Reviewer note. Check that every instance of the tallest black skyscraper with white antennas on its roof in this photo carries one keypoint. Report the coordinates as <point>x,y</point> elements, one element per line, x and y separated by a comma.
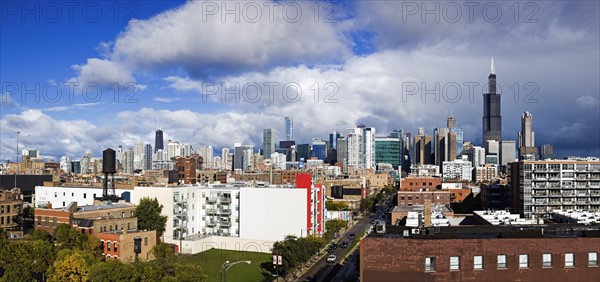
<point>492,116</point>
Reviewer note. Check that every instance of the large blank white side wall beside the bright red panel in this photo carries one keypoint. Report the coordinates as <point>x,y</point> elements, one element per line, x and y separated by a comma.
<point>272,213</point>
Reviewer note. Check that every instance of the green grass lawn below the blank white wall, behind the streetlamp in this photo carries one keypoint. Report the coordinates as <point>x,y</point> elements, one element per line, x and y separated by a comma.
<point>213,259</point>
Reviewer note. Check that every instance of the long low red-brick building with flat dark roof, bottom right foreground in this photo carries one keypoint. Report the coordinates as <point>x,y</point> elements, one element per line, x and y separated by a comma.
<point>482,253</point>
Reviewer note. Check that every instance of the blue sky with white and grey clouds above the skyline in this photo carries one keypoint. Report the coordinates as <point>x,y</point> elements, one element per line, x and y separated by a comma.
<point>185,62</point>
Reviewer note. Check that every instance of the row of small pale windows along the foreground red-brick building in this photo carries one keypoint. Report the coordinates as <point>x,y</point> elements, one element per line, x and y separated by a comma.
<point>501,261</point>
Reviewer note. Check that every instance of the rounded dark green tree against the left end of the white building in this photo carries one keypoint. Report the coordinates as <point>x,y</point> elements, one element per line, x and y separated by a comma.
<point>148,213</point>
